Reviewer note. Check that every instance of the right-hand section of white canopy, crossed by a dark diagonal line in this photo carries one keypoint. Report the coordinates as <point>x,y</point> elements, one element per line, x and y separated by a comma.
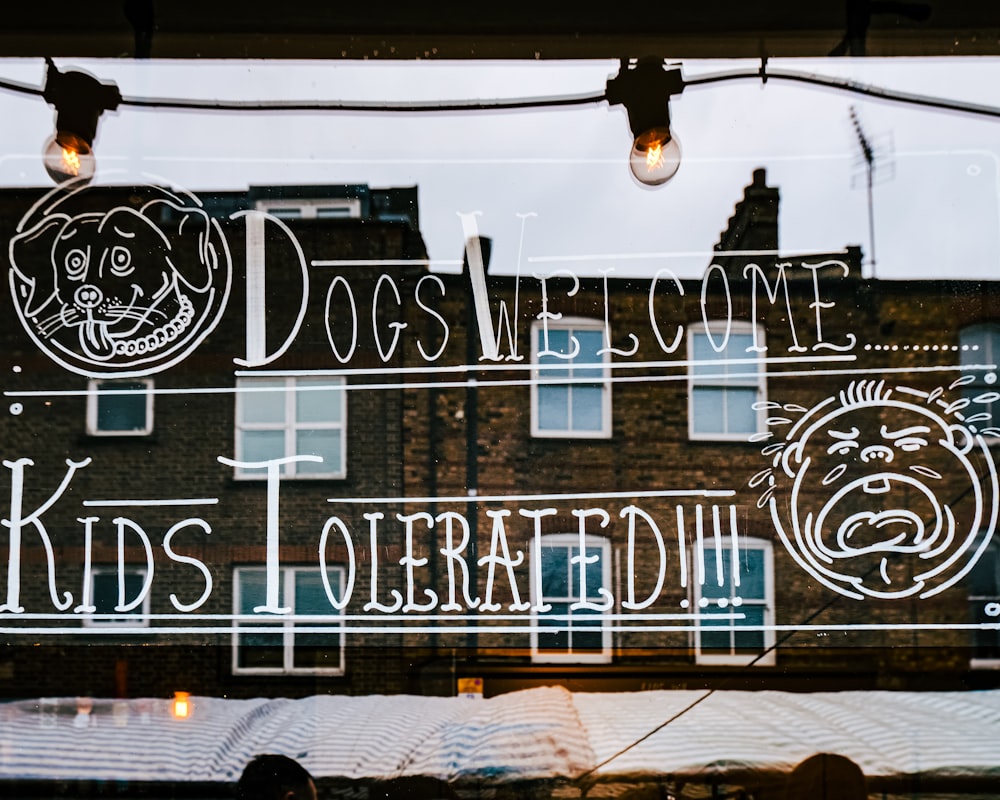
<point>888,734</point>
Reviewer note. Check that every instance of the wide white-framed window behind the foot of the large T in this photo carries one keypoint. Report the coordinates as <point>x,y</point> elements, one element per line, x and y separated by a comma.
<point>284,624</point>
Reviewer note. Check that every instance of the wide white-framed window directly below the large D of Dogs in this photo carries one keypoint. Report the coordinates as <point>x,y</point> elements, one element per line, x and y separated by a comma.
<point>290,426</point>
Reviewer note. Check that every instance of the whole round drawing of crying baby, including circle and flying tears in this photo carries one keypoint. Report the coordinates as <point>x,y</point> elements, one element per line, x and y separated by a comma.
<point>882,492</point>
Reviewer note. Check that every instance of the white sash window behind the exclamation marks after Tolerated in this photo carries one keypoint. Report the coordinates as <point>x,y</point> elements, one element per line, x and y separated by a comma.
<point>735,658</point>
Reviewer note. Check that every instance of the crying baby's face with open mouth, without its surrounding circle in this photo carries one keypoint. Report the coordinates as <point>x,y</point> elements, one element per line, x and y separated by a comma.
<point>870,495</point>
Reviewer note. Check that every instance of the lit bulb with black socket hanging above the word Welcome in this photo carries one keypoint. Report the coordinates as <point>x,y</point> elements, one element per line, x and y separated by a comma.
<point>645,89</point>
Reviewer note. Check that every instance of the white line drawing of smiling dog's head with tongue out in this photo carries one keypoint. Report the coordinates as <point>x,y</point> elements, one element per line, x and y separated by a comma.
<point>115,291</point>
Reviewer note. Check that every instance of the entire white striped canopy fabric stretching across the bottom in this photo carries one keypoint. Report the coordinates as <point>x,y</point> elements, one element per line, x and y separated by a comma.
<point>537,734</point>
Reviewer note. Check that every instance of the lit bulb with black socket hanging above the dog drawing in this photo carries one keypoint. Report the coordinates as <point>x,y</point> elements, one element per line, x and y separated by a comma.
<point>79,100</point>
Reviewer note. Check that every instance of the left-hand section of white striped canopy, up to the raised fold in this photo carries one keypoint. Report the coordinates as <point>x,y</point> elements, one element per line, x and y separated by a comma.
<point>527,735</point>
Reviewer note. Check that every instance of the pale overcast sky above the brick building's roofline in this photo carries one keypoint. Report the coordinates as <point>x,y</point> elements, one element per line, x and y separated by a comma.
<point>936,203</point>
